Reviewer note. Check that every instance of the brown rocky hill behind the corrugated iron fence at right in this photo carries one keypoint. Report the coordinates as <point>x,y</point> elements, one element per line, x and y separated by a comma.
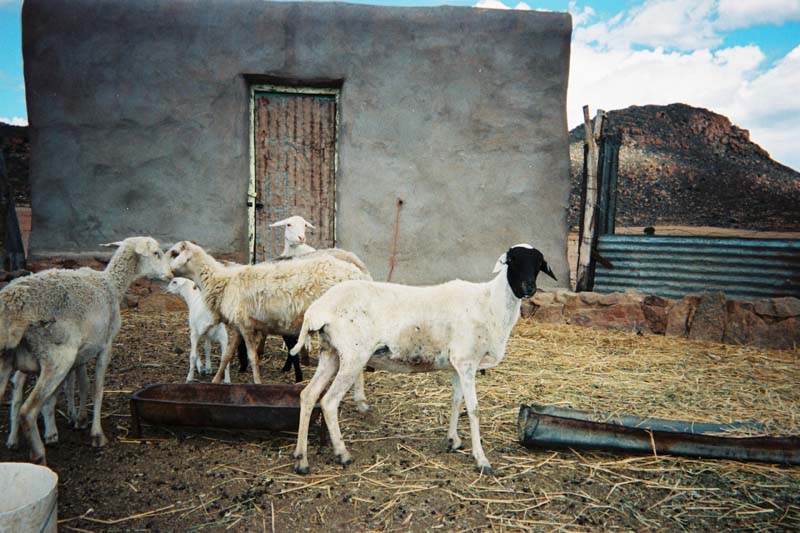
<point>686,166</point>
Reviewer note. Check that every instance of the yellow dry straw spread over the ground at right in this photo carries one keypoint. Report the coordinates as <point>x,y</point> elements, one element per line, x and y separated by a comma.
<point>571,491</point>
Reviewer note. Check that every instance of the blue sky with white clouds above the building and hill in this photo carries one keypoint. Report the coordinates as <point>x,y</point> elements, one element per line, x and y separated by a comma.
<point>739,58</point>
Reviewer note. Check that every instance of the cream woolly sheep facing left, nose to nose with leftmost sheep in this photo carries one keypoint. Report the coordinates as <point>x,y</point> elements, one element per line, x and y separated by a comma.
<point>266,298</point>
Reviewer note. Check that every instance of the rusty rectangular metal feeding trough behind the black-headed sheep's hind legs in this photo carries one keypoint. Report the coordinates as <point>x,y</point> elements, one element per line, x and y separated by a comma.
<point>237,406</point>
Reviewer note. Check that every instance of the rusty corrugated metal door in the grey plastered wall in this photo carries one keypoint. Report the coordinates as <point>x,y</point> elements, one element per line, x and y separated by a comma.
<point>295,167</point>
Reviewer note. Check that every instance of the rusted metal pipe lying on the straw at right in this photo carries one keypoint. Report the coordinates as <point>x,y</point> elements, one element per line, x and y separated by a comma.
<point>540,430</point>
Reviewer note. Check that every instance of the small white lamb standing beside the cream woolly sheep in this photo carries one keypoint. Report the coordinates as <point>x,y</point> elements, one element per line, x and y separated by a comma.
<point>202,327</point>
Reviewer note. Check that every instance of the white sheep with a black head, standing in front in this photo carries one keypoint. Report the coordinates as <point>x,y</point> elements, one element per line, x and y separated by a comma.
<point>457,326</point>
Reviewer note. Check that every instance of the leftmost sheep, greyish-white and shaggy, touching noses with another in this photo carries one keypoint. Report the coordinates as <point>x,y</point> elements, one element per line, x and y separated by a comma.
<point>57,319</point>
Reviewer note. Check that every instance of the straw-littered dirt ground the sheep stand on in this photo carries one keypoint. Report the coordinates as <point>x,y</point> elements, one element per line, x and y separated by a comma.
<point>402,479</point>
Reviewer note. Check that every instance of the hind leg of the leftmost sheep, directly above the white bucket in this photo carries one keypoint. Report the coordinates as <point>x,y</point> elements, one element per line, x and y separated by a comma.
<point>52,373</point>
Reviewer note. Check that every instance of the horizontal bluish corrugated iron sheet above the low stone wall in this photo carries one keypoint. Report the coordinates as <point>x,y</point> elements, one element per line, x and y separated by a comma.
<point>672,266</point>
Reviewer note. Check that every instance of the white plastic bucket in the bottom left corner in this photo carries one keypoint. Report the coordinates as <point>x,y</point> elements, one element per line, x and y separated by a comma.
<point>29,498</point>
